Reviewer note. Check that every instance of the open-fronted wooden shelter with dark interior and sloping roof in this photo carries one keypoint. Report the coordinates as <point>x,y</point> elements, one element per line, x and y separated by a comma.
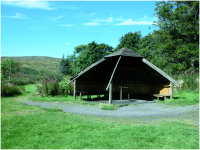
<point>123,70</point>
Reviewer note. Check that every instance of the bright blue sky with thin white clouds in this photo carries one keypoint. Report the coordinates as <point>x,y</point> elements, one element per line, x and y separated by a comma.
<point>54,28</point>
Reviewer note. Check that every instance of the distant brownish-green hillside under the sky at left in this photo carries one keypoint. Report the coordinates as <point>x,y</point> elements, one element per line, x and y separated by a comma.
<point>36,62</point>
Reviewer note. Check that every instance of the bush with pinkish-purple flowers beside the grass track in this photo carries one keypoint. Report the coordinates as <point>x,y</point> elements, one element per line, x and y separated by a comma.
<point>49,87</point>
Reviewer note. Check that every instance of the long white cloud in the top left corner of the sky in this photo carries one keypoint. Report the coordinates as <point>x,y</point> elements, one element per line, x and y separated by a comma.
<point>30,4</point>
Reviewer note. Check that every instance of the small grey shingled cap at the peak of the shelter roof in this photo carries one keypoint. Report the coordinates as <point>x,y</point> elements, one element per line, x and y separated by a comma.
<point>124,52</point>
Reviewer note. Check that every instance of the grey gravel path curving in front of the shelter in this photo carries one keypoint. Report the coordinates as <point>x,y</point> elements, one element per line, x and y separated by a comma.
<point>143,110</point>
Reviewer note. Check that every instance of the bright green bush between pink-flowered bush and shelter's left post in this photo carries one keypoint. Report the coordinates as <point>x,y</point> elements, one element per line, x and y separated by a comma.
<point>65,89</point>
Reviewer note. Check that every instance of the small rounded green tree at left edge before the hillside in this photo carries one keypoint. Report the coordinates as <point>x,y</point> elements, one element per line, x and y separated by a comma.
<point>9,67</point>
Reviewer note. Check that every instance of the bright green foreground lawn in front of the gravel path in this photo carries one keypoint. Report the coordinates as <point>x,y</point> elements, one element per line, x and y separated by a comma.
<point>32,127</point>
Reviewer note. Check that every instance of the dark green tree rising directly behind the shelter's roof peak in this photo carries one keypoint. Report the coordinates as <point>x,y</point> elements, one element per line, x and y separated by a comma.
<point>129,40</point>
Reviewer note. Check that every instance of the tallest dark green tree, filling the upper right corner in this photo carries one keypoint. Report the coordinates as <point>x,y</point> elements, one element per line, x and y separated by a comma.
<point>178,34</point>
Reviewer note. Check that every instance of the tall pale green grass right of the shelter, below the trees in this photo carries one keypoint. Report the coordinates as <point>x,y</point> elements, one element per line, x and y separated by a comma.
<point>187,81</point>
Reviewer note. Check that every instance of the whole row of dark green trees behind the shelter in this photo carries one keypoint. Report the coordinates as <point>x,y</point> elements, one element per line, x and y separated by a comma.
<point>173,46</point>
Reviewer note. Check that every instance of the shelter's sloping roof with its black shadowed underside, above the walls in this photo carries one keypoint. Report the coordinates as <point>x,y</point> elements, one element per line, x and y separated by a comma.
<point>132,68</point>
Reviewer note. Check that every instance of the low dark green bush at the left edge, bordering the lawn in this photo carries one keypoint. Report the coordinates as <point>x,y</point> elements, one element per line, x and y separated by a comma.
<point>8,89</point>
